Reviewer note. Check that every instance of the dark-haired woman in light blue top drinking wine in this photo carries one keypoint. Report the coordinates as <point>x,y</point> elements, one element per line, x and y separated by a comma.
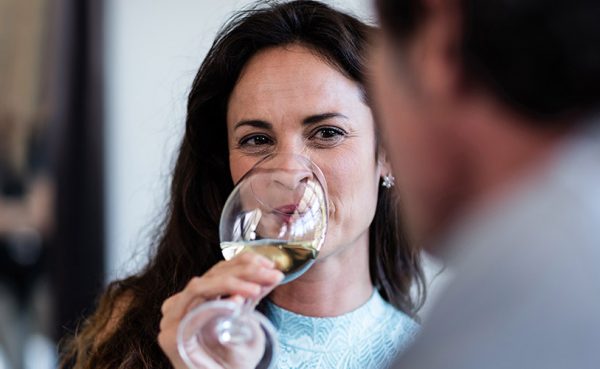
<point>279,78</point>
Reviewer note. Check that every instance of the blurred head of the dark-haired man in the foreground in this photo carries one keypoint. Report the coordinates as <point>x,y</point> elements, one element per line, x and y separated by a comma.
<point>473,93</point>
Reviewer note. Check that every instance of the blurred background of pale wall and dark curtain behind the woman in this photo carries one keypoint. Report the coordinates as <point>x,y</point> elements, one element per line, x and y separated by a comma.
<point>92,105</point>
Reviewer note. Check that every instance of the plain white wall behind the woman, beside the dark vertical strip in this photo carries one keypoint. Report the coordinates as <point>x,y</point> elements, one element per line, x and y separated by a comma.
<point>153,49</point>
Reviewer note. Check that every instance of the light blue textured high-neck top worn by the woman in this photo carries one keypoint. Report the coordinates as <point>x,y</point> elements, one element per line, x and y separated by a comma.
<point>366,338</point>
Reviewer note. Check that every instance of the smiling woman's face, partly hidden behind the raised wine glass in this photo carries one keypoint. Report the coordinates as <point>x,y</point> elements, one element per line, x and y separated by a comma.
<point>290,100</point>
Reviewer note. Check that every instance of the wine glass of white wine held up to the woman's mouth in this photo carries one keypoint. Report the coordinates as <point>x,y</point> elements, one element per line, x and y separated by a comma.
<point>279,209</point>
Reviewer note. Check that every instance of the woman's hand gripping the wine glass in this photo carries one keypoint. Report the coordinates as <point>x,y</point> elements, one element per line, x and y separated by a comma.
<point>248,275</point>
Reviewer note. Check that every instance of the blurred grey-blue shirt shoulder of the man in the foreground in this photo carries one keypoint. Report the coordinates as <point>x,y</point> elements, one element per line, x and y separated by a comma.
<point>526,291</point>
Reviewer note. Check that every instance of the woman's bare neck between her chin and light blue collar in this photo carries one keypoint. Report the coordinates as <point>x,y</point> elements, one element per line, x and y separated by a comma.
<point>334,285</point>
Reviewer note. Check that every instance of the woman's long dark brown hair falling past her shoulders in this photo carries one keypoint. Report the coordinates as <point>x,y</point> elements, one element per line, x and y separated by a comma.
<point>188,244</point>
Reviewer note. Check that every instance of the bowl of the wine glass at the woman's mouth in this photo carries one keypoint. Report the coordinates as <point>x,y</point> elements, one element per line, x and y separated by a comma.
<point>279,210</point>
